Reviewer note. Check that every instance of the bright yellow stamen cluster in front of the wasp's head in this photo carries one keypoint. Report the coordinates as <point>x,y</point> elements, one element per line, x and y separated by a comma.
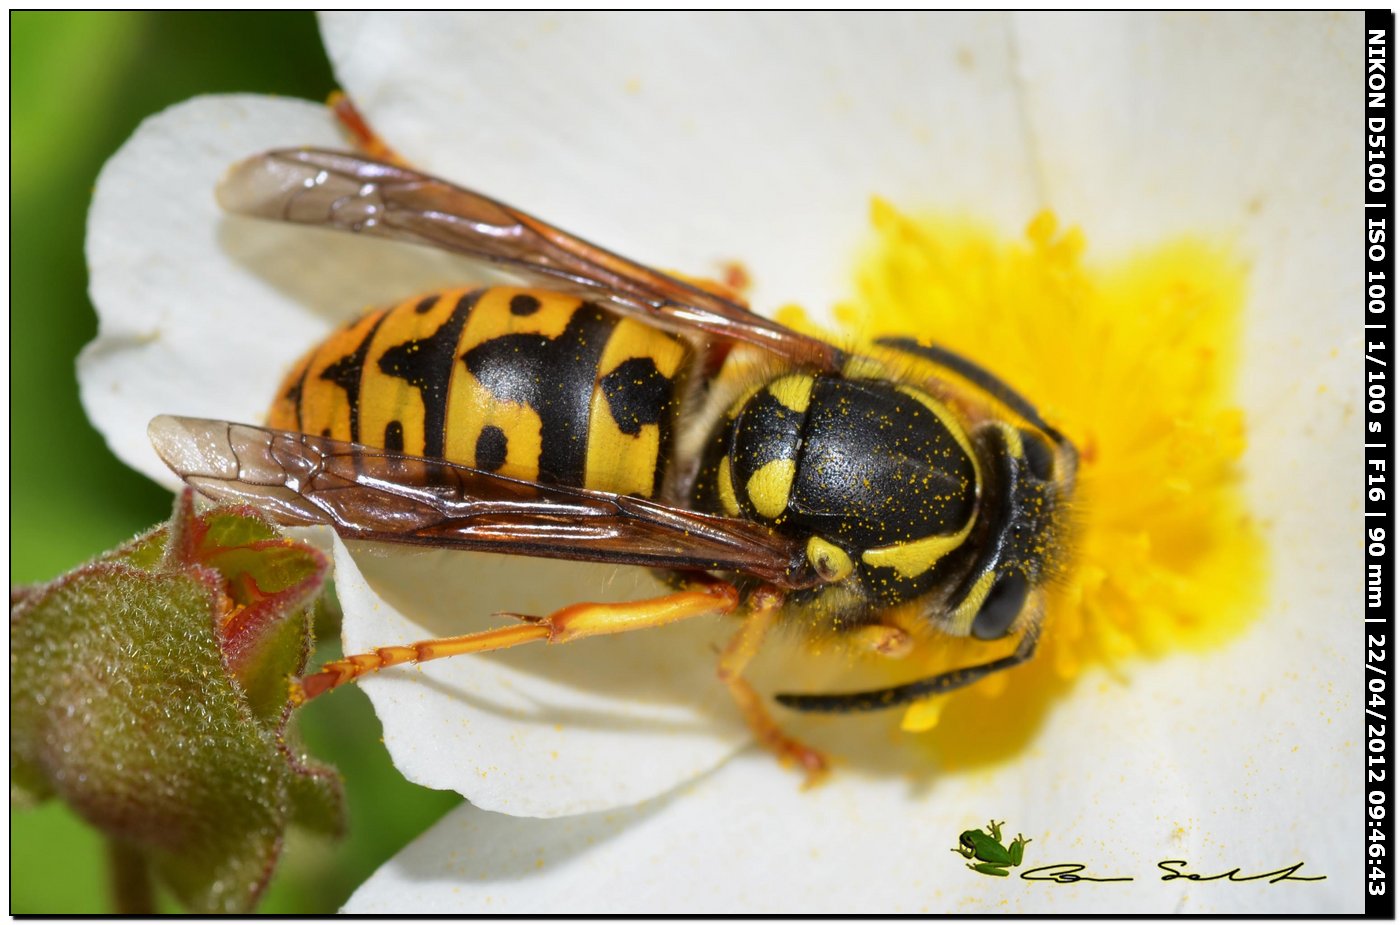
<point>1135,363</point>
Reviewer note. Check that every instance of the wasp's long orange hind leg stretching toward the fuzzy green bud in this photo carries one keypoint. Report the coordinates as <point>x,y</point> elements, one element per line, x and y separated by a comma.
<point>701,598</point>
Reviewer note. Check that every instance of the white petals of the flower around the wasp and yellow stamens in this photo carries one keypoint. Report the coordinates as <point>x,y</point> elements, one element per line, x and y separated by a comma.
<point>687,141</point>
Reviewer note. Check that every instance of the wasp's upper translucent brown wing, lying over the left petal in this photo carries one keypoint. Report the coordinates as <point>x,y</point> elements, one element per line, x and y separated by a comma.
<point>355,194</point>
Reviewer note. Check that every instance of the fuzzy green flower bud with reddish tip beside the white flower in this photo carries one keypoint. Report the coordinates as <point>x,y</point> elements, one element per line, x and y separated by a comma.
<point>128,706</point>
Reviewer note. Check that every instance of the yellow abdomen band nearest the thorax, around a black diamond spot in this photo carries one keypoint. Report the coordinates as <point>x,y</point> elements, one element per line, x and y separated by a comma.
<point>622,462</point>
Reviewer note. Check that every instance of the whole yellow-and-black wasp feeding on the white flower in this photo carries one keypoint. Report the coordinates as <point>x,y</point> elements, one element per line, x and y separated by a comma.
<point>587,416</point>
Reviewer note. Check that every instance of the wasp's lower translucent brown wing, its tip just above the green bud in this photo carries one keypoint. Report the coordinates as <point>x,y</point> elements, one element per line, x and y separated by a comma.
<point>373,495</point>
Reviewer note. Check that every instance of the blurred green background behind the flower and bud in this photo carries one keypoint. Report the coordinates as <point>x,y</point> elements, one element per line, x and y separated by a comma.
<point>80,83</point>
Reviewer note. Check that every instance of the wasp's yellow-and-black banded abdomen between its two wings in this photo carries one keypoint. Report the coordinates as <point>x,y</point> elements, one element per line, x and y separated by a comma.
<point>528,384</point>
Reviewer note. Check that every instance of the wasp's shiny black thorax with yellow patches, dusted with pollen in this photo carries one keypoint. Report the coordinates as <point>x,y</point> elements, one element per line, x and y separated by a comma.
<point>881,476</point>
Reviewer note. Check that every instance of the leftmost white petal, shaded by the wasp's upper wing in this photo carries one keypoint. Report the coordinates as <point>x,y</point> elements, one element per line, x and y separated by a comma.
<point>202,314</point>
